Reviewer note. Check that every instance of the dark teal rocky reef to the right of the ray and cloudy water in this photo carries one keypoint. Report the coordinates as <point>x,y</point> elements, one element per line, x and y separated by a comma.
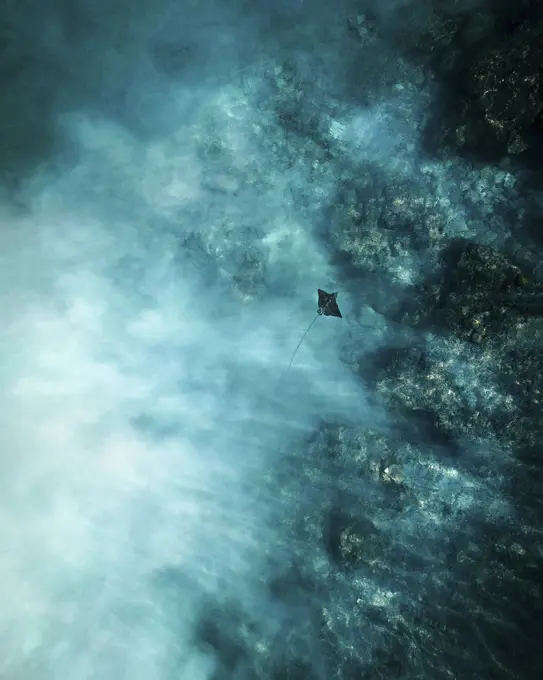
<point>454,248</point>
